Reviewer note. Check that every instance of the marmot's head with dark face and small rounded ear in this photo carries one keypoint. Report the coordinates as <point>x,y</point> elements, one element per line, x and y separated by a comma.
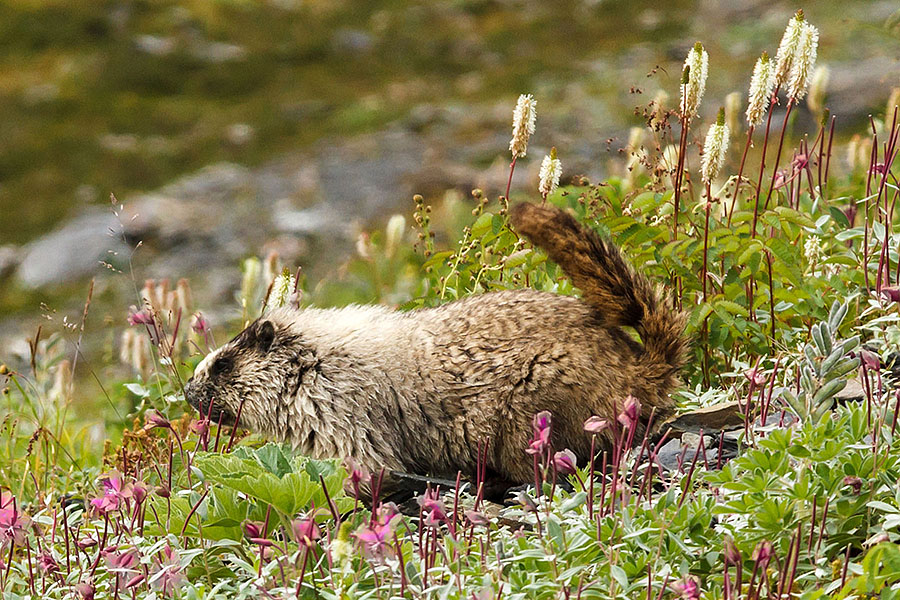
<point>251,375</point>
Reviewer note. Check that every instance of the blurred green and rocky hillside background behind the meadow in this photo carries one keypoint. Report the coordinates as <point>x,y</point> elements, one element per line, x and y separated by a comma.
<point>229,128</point>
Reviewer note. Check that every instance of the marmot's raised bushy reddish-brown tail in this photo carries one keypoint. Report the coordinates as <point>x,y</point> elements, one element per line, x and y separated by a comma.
<point>608,283</point>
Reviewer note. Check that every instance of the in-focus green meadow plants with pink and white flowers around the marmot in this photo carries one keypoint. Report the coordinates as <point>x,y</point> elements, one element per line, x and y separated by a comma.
<point>780,245</point>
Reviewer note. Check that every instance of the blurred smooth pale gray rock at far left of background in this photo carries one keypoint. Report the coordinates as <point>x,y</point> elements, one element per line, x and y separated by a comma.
<point>72,252</point>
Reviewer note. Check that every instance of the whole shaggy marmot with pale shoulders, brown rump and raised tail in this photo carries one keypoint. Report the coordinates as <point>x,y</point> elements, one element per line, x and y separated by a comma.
<point>419,391</point>
